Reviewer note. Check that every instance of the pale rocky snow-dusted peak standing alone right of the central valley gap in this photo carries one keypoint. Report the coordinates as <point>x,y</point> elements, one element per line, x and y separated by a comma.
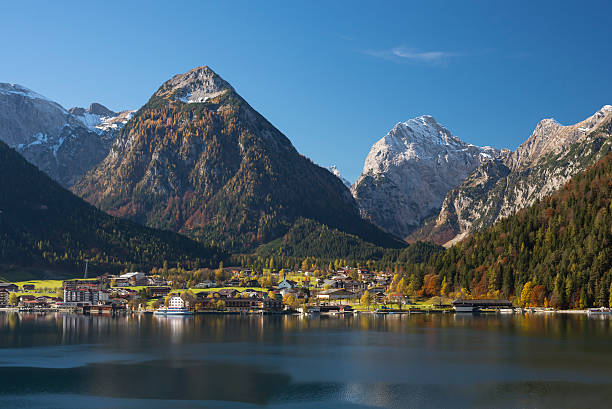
<point>408,172</point>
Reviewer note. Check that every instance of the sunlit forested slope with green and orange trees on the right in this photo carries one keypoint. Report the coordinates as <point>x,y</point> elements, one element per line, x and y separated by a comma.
<point>556,251</point>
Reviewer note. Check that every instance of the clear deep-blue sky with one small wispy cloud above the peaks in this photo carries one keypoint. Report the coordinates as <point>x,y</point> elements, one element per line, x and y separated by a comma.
<point>333,76</point>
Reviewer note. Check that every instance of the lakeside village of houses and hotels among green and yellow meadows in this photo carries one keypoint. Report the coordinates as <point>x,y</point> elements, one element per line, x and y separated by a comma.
<point>347,290</point>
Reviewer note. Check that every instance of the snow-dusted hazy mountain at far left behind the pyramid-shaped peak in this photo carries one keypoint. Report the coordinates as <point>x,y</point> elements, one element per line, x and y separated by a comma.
<point>61,144</point>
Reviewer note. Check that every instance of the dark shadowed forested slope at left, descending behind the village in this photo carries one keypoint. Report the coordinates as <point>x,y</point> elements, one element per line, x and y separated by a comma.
<point>44,225</point>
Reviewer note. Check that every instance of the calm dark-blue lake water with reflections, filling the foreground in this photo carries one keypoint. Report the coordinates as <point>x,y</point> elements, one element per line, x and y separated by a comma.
<point>365,361</point>
